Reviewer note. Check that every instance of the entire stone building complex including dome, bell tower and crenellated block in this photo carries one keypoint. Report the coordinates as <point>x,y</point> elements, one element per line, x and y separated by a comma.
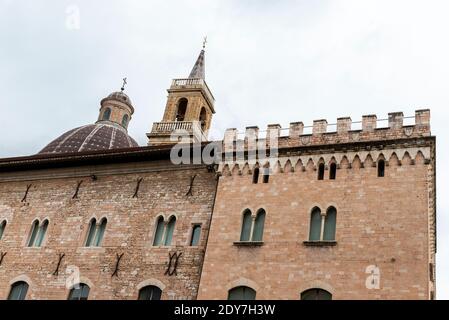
<point>338,213</point>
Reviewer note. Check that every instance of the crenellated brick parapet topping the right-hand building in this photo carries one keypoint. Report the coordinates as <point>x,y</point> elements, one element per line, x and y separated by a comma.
<point>370,128</point>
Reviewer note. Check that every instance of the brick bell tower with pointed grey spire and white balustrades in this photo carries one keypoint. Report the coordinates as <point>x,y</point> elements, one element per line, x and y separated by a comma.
<point>189,109</point>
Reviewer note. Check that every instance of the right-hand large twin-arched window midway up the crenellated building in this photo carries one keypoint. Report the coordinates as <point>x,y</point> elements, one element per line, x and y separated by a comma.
<point>322,227</point>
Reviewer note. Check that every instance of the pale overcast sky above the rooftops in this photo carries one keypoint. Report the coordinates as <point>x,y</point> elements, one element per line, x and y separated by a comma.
<point>266,62</point>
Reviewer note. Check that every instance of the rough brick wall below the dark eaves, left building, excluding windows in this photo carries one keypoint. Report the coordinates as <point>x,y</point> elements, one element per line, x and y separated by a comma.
<point>130,228</point>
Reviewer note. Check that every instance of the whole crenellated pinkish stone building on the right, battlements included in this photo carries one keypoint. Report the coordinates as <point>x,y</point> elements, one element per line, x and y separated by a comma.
<point>383,245</point>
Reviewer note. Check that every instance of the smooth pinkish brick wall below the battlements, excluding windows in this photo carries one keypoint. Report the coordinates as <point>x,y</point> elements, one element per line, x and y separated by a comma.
<point>381,222</point>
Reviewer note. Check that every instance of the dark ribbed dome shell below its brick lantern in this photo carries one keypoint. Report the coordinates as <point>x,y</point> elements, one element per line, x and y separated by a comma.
<point>99,136</point>
